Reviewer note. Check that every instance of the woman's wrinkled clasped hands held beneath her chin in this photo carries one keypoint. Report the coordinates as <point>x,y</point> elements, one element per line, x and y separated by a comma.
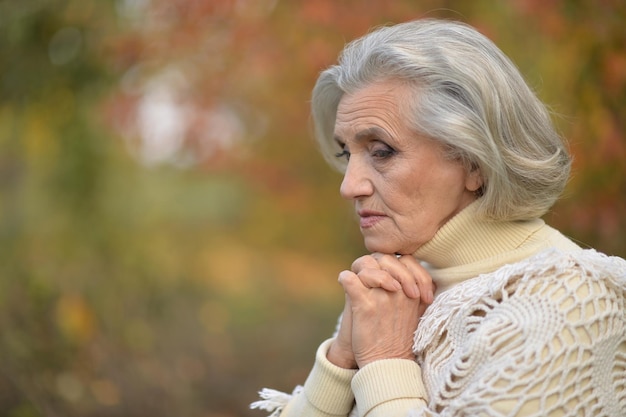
<point>385,297</point>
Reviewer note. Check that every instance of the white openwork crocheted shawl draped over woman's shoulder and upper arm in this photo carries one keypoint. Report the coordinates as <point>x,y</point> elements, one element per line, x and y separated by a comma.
<point>542,337</point>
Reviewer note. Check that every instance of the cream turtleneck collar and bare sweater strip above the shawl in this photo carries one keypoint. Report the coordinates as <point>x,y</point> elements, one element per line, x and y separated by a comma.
<point>468,245</point>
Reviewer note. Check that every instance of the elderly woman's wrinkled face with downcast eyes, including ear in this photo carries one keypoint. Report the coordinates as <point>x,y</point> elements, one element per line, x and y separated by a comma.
<point>402,186</point>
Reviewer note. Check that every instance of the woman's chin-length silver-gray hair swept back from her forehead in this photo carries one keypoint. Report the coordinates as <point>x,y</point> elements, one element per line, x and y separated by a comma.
<point>467,95</point>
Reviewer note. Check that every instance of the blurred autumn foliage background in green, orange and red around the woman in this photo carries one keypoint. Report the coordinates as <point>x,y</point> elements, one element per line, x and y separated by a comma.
<point>169,236</point>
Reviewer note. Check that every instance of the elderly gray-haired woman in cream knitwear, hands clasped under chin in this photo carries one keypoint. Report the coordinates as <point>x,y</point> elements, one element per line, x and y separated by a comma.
<point>469,304</point>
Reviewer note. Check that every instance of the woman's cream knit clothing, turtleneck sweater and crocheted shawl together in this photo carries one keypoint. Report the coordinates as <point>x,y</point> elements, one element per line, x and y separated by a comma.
<point>498,283</point>
